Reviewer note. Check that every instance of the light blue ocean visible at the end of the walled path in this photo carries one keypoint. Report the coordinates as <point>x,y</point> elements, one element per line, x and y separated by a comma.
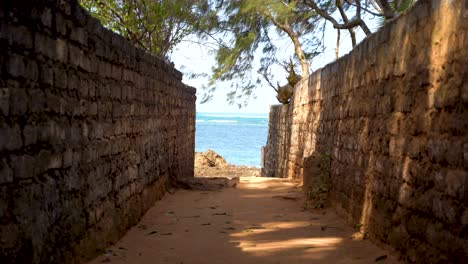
<point>237,137</point>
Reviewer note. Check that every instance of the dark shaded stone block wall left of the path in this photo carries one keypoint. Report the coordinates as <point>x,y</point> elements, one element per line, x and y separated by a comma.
<point>92,130</point>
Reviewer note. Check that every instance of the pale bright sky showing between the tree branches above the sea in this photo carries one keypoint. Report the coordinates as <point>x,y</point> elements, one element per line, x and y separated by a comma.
<point>191,57</point>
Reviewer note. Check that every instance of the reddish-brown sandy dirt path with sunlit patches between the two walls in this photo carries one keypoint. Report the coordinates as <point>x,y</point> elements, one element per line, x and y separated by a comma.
<point>252,223</point>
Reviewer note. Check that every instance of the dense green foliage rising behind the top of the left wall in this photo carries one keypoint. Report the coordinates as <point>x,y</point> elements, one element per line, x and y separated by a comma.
<point>155,26</point>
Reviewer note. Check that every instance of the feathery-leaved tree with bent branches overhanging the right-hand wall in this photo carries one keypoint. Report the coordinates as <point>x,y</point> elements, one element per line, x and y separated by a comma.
<point>249,23</point>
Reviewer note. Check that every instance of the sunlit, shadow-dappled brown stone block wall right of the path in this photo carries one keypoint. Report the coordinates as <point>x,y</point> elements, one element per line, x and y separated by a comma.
<point>393,117</point>
